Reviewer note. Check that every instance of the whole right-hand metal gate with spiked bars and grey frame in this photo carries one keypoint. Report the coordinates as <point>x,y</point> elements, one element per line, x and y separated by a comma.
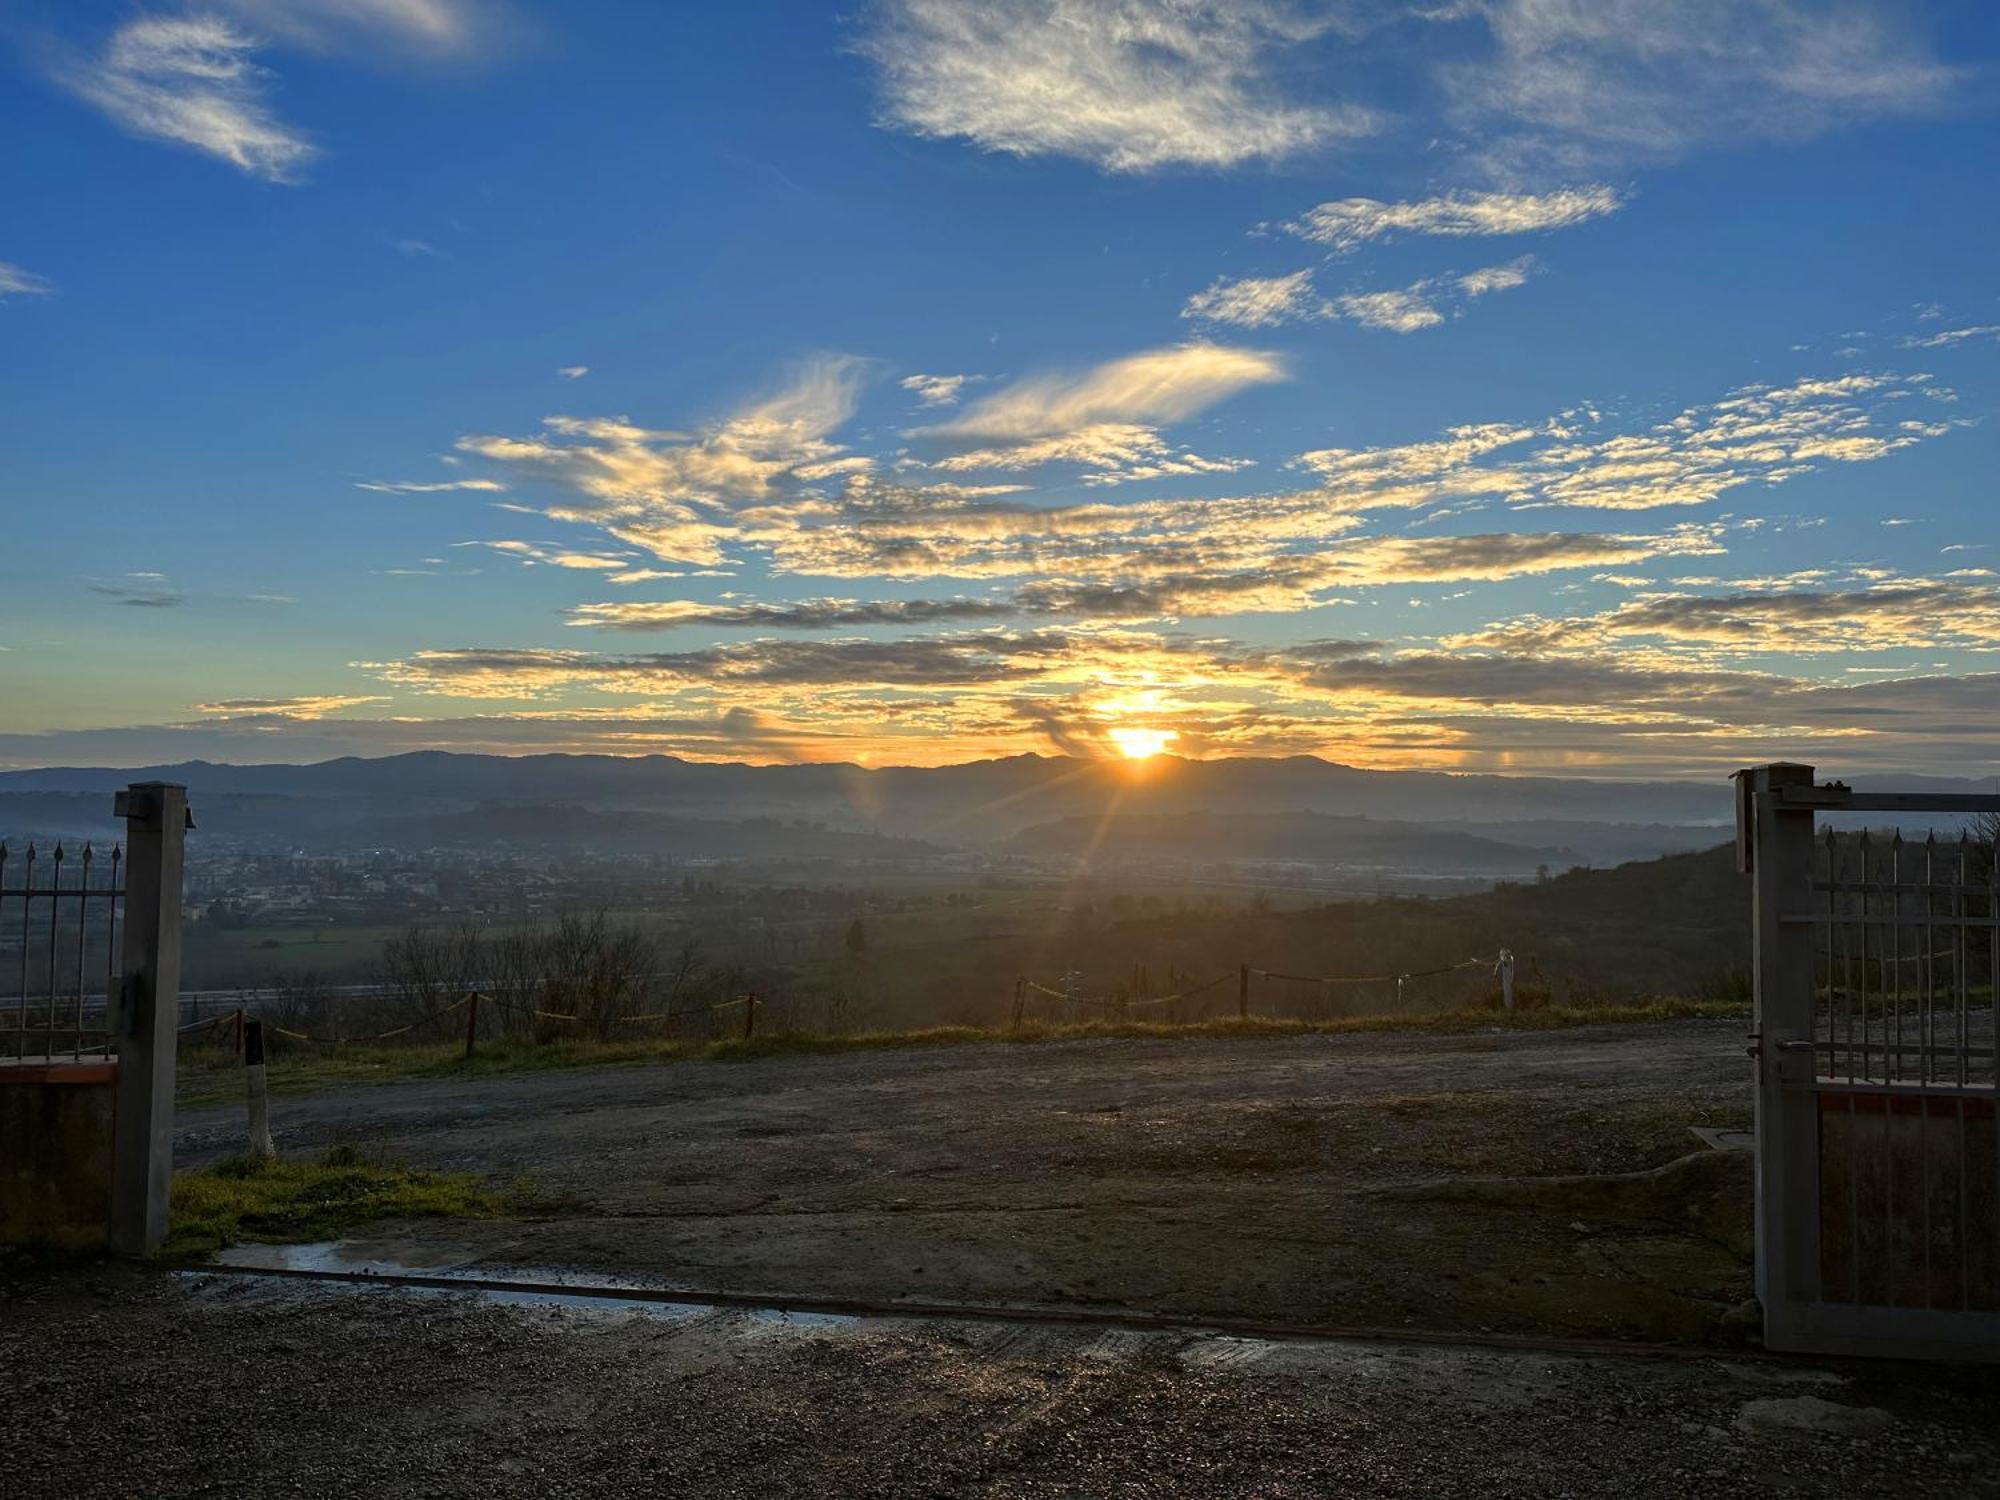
<point>1877,1165</point>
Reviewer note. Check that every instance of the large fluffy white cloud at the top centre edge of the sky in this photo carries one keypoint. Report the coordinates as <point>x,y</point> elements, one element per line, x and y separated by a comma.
<point>1125,85</point>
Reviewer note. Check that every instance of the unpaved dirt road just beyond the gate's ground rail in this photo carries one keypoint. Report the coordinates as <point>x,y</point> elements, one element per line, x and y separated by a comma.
<point>1297,1179</point>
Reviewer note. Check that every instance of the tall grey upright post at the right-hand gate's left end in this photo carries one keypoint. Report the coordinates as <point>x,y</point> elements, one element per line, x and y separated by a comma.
<point>1775,845</point>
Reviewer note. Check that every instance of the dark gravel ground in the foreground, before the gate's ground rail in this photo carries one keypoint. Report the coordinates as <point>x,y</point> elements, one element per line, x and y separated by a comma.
<point>129,1383</point>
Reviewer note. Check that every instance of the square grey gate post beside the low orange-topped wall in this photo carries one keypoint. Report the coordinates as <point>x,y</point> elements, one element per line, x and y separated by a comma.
<point>143,1135</point>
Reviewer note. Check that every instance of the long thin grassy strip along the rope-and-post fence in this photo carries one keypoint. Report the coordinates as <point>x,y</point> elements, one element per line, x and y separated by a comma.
<point>209,1081</point>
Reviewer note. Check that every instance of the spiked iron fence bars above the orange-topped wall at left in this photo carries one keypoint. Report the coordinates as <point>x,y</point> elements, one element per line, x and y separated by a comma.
<point>59,943</point>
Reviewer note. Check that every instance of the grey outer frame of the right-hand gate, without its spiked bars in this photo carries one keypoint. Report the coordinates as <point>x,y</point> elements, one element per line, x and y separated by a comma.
<point>1775,811</point>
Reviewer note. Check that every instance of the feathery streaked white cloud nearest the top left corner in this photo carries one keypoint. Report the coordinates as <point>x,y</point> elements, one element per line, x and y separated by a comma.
<point>193,81</point>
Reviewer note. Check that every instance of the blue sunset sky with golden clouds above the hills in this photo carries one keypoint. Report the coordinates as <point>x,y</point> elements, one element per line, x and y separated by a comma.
<point>1481,385</point>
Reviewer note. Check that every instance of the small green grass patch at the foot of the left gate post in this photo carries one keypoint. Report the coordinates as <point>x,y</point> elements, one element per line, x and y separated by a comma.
<point>275,1201</point>
